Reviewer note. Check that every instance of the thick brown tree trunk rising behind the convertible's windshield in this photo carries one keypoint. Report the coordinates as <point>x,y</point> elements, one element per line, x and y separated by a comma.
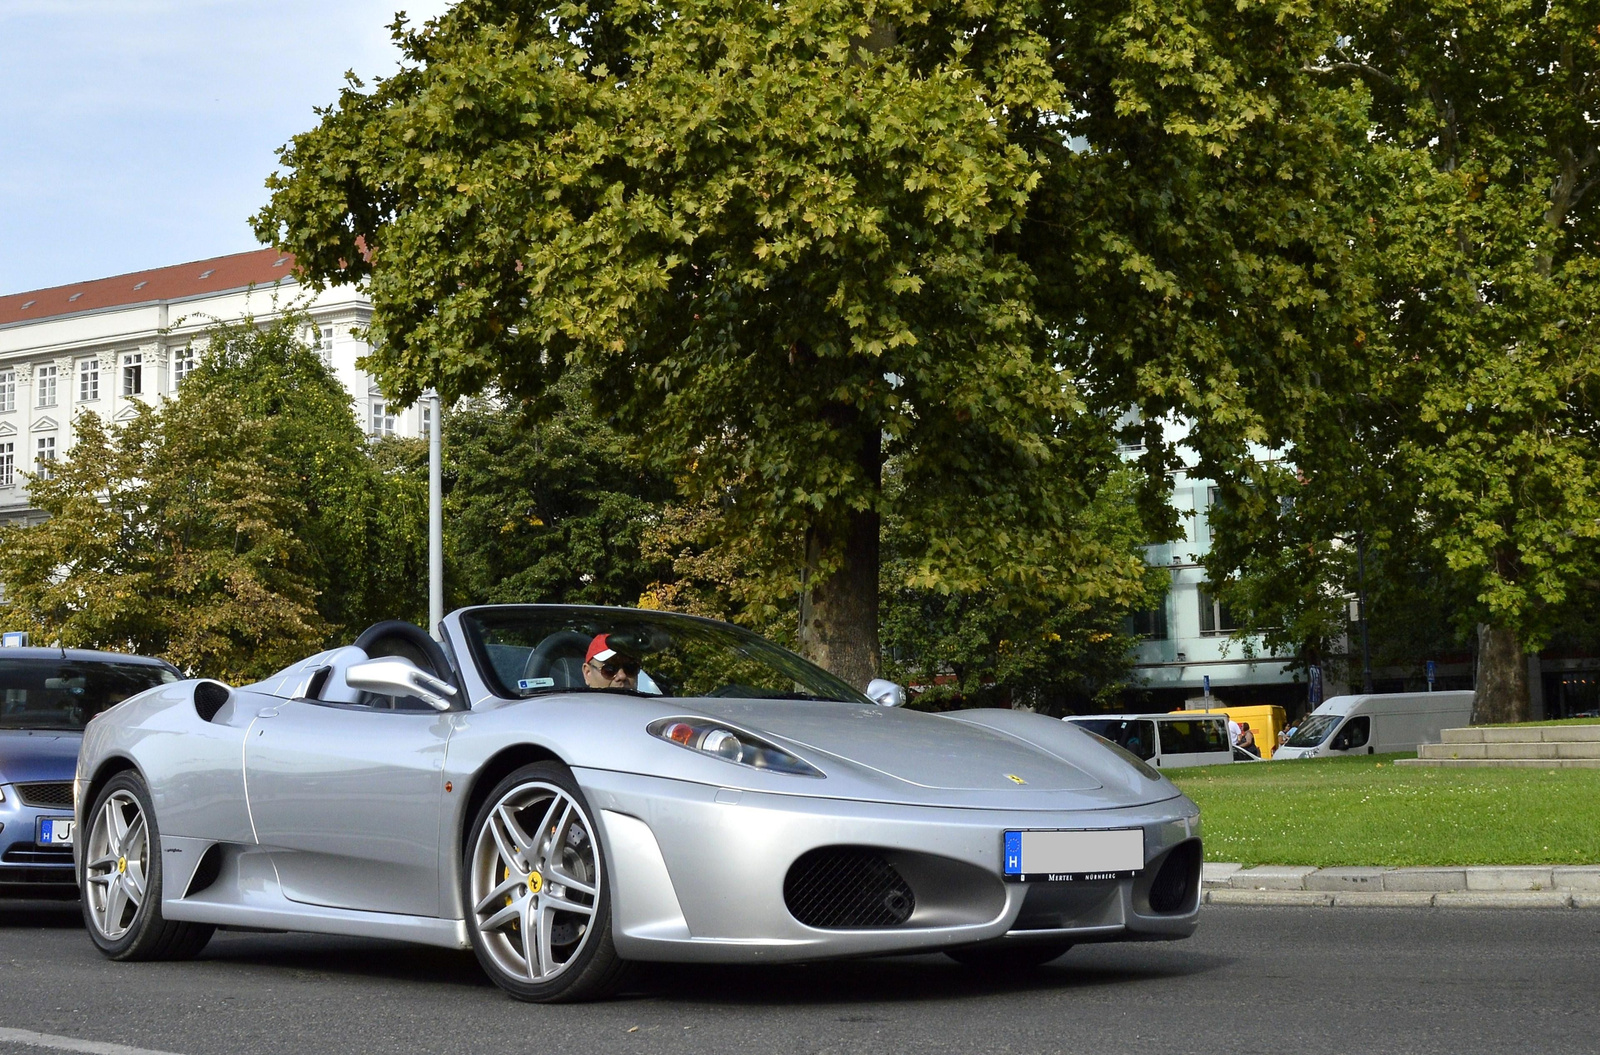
<point>839,616</point>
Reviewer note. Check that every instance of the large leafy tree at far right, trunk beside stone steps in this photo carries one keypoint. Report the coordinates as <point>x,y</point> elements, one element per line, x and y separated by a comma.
<point>1473,395</point>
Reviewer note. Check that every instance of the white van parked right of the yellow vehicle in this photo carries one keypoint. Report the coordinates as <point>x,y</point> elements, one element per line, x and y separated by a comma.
<point>1377,724</point>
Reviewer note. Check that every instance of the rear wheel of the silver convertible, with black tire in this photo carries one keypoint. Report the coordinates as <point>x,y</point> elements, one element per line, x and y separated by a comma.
<point>140,933</point>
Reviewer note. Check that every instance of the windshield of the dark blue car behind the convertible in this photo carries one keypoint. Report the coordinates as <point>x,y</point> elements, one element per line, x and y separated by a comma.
<point>66,694</point>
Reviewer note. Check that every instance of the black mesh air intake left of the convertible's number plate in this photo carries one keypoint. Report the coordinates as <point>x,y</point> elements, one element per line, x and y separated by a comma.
<point>847,889</point>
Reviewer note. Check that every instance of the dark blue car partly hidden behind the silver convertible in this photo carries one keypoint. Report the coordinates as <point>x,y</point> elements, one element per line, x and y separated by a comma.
<point>47,696</point>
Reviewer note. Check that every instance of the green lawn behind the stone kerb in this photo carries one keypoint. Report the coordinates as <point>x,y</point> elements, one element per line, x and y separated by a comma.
<point>1367,811</point>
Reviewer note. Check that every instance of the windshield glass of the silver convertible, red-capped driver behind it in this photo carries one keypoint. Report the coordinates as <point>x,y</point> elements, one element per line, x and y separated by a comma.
<point>535,651</point>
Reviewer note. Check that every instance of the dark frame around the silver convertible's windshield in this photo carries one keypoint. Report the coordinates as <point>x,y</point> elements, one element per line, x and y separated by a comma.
<point>471,624</point>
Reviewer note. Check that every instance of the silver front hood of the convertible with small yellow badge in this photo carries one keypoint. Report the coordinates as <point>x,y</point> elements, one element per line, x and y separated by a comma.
<point>924,750</point>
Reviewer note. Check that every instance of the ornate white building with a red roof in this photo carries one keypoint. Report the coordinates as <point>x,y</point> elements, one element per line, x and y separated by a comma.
<point>111,343</point>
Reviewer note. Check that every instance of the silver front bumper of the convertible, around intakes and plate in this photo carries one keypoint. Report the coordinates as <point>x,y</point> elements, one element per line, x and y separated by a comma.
<point>698,873</point>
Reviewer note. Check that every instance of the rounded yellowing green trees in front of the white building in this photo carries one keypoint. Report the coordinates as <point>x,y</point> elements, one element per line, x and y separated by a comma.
<point>234,529</point>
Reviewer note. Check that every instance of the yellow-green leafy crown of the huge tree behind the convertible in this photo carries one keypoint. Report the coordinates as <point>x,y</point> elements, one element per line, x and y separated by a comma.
<point>791,246</point>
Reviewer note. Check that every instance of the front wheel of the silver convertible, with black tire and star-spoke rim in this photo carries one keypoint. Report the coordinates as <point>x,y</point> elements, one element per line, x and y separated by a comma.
<point>586,968</point>
